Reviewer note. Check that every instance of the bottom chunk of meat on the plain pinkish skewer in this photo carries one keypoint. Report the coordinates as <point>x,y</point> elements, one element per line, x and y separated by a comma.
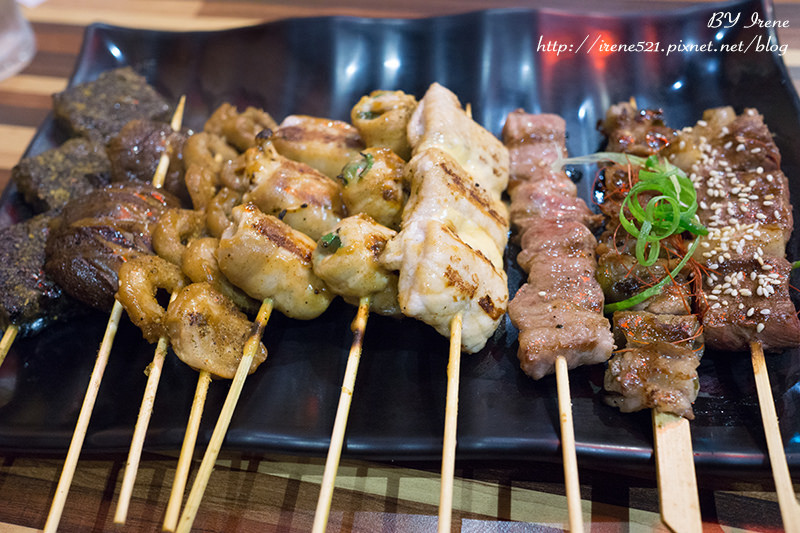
<point>549,328</point>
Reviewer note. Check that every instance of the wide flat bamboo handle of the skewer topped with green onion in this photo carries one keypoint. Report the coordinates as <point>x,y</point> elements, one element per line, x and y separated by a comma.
<point>677,484</point>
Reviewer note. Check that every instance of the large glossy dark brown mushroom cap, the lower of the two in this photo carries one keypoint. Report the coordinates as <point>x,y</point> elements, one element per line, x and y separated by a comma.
<point>96,233</point>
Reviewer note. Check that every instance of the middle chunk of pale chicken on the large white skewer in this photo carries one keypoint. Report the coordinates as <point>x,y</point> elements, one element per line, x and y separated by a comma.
<point>441,190</point>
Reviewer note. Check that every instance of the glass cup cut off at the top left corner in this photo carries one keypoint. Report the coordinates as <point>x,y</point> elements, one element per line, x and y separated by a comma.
<point>17,43</point>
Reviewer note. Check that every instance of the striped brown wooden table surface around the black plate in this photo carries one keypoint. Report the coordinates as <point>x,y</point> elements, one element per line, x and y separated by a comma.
<point>279,493</point>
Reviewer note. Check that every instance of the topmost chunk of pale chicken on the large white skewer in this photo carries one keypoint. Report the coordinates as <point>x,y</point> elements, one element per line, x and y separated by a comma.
<point>440,122</point>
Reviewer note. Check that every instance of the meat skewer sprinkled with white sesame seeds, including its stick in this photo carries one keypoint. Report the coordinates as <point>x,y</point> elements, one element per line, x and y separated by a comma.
<point>745,303</point>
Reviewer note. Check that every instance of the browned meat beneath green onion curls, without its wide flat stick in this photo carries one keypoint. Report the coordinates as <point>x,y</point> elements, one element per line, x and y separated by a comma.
<point>661,342</point>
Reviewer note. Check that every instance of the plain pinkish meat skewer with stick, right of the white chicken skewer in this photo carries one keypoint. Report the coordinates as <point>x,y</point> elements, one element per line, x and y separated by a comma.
<point>559,310</point>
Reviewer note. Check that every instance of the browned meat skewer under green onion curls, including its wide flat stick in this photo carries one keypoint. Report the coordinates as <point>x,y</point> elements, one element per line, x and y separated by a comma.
<point>654,345</point>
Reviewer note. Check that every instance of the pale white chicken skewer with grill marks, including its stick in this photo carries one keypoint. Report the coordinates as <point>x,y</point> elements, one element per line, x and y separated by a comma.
<point>450,246</point>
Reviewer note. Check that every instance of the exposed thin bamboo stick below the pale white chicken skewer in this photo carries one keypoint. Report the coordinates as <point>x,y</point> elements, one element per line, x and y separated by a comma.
<point>450,423</point>
